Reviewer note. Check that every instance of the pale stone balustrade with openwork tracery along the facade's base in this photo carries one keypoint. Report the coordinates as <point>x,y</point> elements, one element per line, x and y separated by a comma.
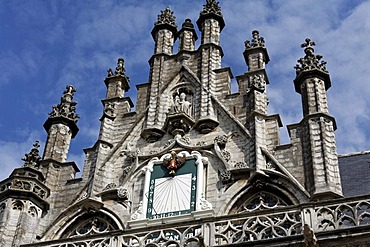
<point>337,216</point>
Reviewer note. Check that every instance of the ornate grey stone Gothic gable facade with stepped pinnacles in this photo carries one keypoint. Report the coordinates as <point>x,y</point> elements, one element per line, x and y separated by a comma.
<point>184,169</point>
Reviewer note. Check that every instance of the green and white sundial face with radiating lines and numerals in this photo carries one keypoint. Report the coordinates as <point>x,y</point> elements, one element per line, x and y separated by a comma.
<point>172,194</point>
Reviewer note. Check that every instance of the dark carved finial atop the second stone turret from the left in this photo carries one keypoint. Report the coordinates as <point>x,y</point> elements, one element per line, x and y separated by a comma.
<point>66,108</point>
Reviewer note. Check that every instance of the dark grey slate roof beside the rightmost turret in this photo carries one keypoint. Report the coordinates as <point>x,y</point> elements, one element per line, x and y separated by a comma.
<point>355,173</point>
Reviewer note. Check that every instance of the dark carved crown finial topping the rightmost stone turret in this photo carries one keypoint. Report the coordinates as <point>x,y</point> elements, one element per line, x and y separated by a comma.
<point>310,61</point>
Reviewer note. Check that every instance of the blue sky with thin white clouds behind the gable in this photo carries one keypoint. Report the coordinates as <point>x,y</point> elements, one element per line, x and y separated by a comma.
<point>45,45</point>
